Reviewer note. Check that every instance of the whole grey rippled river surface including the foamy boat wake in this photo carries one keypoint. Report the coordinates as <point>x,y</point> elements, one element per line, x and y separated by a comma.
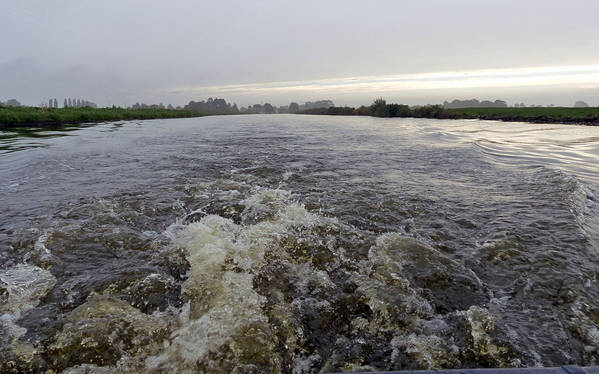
<point>298,244</point>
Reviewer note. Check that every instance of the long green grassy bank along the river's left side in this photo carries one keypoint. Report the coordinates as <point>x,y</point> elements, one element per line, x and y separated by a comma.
<point>32,116</point>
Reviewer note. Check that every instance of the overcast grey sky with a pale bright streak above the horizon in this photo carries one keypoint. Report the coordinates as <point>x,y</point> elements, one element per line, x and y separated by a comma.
<point>350,51</point>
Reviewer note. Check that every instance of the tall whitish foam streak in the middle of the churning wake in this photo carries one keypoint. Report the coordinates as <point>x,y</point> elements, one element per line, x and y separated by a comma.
<point>224,258</point>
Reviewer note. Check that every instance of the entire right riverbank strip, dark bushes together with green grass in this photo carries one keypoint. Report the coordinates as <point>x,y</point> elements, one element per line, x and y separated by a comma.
<point>380,108</point>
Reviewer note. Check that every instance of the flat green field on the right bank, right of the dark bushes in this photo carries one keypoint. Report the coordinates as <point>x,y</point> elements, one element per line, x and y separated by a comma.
<point>544,114</point>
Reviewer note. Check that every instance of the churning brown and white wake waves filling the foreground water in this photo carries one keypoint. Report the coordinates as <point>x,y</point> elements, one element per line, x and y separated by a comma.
<point>282,290</point>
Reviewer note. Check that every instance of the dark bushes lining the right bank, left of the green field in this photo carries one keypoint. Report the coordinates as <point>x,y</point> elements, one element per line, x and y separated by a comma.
<point>380,108</point>
